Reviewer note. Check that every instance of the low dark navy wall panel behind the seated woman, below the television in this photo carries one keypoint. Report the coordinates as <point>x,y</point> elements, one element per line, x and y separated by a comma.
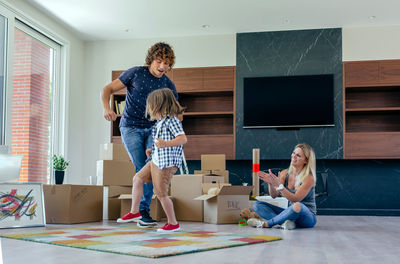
<point>353,187</point>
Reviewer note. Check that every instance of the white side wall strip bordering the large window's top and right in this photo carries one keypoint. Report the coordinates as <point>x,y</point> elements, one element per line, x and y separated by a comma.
<point>74,81</point>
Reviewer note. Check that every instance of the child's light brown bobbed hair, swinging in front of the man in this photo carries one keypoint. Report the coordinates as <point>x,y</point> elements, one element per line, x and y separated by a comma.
<point>162,102</point>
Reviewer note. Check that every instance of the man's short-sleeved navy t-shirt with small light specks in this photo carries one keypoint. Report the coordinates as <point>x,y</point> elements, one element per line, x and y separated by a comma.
<point>139,84</point>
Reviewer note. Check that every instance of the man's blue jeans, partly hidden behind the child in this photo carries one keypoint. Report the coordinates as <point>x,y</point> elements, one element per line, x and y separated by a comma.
<point>136,141</point>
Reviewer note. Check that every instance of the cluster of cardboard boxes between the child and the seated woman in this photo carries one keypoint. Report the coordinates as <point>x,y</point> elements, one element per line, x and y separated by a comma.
<point>207,195</point>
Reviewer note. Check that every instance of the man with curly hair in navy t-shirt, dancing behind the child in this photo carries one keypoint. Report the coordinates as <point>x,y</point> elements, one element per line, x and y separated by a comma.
<point>135,128</point>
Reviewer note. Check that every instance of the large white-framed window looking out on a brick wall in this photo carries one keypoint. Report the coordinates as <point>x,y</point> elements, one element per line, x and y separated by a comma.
<point>32,111</point>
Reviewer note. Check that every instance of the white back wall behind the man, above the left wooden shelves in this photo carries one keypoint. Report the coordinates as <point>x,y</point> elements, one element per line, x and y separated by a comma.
<point>102,57</point>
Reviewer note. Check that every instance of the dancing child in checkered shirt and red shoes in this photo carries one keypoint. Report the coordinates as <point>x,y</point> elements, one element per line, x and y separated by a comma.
<point>166,156</point>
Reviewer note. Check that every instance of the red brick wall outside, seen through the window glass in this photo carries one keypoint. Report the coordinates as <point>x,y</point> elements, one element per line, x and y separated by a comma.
<point>31,107</point>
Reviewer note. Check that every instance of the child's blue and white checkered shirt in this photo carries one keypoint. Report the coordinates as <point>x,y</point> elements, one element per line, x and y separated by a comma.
<point>170,128</point>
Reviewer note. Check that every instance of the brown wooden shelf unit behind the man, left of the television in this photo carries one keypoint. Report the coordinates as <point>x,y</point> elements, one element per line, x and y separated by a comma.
<point>208,93</point>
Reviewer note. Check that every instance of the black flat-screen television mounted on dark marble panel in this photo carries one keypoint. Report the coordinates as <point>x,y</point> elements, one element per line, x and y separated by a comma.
<point>288,101</point>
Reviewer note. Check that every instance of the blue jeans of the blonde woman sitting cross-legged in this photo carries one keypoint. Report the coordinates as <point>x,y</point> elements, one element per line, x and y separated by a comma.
<point>276,215</point>
